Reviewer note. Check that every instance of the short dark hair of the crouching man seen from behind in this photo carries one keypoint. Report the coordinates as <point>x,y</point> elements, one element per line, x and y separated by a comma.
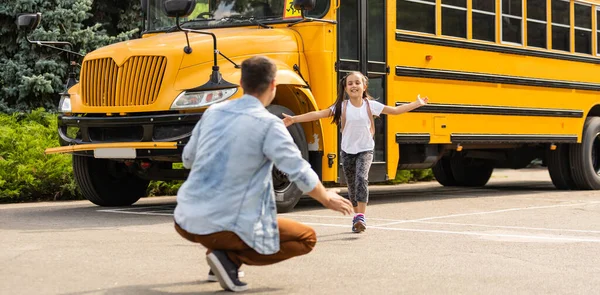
<point>257,73</point>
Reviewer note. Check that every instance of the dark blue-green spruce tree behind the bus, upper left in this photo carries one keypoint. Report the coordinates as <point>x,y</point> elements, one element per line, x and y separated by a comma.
<point>31,75</point>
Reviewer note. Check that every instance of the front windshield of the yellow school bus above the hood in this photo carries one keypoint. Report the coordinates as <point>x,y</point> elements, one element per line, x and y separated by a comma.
<point>225,13</point>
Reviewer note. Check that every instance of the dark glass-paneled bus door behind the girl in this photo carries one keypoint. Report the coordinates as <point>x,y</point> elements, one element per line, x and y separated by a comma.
<point>361,47</point>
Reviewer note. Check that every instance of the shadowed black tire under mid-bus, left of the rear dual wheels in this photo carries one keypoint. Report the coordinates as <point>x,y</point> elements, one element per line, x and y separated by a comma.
<point>471,172</point>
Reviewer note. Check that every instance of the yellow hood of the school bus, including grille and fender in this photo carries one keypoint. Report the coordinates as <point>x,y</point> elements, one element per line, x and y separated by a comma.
<point>146,83</point>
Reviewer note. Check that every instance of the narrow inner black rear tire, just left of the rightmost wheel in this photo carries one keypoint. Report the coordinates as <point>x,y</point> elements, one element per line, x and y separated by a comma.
<point>559,167</point>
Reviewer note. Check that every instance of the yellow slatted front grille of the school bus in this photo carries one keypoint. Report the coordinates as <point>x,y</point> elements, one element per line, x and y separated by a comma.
<point>137,82</point>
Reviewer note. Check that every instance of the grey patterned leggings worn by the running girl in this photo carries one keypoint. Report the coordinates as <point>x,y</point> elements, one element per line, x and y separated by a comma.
<point>356,170</point>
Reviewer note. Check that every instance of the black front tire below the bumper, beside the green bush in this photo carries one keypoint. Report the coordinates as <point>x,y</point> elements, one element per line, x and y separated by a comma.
<point>107,183</point>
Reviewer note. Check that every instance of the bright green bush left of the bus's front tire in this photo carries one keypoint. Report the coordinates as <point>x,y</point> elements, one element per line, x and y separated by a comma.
<point>26,173</point>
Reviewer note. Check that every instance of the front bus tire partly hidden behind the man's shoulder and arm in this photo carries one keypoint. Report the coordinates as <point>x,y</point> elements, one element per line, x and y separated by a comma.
<point>287,192</point>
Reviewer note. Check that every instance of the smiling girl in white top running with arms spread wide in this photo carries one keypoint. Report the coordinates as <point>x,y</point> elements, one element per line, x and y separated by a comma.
<point>353,111</point>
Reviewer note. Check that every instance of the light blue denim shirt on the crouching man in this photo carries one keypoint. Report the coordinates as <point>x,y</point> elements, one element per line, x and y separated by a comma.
<point>231,154</point>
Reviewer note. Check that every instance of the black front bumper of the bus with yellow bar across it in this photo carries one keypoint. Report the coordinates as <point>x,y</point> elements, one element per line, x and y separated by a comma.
<point>128,137</point>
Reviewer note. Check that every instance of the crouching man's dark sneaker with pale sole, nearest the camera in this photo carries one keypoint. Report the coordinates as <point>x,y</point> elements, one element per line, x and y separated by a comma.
<point>226,271</point>
